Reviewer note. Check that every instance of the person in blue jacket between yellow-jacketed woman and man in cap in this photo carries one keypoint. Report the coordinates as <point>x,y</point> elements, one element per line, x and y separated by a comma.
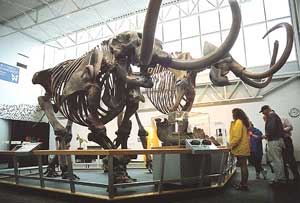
<point>256,151</point>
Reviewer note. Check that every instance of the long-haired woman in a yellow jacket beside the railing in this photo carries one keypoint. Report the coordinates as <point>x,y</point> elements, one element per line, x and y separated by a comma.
<point>239,144</point>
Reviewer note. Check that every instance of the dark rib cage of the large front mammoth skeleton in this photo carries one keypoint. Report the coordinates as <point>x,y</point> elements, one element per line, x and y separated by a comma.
<point>75,106</point>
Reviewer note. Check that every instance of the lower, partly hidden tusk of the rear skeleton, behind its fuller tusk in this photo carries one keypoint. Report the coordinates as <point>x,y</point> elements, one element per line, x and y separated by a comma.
<point>265,83</point>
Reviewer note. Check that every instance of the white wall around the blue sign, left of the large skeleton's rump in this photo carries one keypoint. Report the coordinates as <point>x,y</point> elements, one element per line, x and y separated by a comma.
<point>24,92</point>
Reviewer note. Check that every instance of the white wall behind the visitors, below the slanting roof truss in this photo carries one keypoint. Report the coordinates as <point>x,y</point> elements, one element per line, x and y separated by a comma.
<point>281,101</point>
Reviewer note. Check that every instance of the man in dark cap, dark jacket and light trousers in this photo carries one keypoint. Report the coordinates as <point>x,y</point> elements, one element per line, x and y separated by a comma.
<point>274,133</point>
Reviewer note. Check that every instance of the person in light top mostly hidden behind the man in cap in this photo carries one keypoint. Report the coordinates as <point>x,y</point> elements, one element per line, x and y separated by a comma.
<point>288,153</point>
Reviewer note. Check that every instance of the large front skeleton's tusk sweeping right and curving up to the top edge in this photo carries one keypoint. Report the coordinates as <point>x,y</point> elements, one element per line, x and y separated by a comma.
<point>201,63</point>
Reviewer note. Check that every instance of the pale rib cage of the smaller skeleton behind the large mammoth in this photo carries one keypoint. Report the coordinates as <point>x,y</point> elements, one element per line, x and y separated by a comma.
<point>163,93</point>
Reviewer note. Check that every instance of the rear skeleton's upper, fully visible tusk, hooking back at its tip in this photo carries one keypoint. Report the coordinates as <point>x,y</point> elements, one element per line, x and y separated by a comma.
<point>240,70</point>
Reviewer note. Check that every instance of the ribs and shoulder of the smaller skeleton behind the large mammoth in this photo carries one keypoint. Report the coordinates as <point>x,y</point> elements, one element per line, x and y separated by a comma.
<point>173,90</point>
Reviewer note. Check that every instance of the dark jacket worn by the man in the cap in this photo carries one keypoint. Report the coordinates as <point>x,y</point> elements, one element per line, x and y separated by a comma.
<point>273,127</point>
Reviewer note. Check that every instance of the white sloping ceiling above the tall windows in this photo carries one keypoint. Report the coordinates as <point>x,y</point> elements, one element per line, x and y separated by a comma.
<point>46,20</point>
